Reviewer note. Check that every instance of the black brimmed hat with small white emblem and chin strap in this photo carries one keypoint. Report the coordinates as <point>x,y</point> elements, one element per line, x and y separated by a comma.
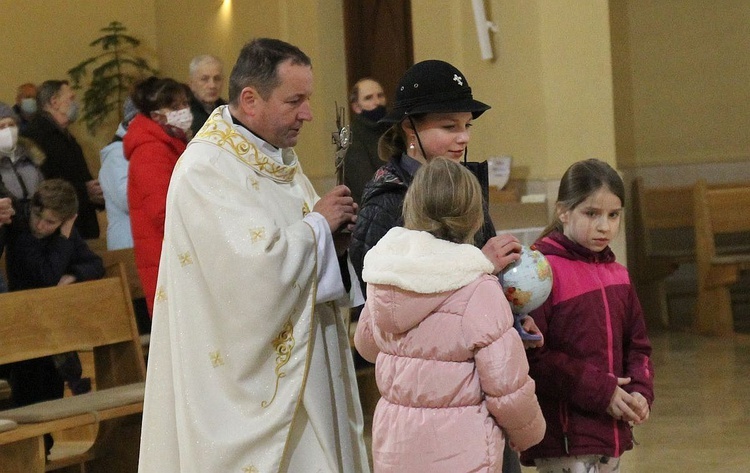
<point>433,86</point>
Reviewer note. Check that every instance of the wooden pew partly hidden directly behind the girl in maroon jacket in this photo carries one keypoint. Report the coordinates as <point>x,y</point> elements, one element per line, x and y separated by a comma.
<point>660,214</point>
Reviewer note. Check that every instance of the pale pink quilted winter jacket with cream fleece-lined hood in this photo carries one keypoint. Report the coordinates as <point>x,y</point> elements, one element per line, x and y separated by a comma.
<point>450,368</point>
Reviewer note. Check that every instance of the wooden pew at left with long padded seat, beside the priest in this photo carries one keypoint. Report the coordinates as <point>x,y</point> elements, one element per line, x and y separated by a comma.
<point>96,316</point>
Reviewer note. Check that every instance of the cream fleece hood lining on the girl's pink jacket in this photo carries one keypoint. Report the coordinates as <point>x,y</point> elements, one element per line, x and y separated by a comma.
<point>417,261</point>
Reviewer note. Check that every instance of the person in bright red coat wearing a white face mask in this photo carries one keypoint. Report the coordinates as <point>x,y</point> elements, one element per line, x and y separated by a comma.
<point>156,138</point>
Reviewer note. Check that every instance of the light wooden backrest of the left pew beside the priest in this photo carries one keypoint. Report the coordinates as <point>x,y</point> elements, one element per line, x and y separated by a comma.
<point>92,315</point>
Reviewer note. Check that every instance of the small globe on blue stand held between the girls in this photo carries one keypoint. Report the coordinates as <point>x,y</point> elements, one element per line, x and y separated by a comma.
<point>526,283</point>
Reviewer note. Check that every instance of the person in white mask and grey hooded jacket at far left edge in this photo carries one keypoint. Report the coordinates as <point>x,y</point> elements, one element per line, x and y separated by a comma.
<point>20,160</point>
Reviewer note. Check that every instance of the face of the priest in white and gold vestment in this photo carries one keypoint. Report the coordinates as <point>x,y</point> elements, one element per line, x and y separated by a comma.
<point>280,117</point>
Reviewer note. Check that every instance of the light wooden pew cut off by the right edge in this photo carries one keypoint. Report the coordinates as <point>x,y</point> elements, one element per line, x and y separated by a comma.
<point>719,211</point>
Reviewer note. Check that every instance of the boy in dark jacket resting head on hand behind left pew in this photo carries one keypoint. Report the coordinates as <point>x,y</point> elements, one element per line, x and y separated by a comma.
<point>45,249</point>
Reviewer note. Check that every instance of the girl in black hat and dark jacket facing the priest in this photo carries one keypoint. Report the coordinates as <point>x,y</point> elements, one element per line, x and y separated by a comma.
<point>432,116</point>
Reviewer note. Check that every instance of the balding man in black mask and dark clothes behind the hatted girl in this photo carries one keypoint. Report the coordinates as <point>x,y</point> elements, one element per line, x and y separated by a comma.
<point>367,101</point>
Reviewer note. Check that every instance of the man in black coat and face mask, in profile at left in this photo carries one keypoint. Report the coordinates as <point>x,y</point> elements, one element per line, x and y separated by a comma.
<point>50,130</point>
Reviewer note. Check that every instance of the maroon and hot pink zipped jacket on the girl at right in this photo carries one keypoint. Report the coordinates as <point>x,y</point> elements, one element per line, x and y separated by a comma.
<point>594,332</point>
